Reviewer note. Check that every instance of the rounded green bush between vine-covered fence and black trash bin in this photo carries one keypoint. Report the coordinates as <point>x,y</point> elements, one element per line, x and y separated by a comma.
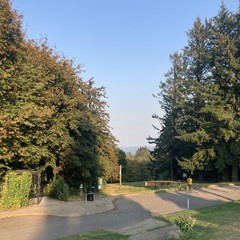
<point>58,189</point>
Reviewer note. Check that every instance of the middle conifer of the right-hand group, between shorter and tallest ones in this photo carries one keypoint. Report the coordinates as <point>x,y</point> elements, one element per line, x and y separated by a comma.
<point>196,75</point>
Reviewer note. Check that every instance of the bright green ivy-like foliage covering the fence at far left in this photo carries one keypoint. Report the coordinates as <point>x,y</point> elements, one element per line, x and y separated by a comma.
<point>16,189</point>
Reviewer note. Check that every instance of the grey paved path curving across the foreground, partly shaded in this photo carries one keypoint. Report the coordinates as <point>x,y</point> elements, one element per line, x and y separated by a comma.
<point>130,211</point>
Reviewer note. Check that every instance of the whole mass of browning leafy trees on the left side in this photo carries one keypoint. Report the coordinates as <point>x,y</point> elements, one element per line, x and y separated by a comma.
<point>50,119</point>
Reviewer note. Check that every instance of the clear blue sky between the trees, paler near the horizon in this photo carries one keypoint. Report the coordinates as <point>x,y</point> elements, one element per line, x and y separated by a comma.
<point>124,45</point>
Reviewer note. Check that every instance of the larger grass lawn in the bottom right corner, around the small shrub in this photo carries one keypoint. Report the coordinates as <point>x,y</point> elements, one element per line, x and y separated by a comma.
<point>217,222</point>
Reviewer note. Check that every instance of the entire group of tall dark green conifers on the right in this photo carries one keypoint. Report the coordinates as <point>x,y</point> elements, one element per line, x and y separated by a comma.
<point>200,97</point>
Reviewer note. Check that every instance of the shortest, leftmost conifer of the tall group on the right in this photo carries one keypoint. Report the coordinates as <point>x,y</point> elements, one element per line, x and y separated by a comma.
<point>167,147</point>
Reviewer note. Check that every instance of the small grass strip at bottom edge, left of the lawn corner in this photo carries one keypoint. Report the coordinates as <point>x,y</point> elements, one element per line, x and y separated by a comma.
<point>97,235</point>
